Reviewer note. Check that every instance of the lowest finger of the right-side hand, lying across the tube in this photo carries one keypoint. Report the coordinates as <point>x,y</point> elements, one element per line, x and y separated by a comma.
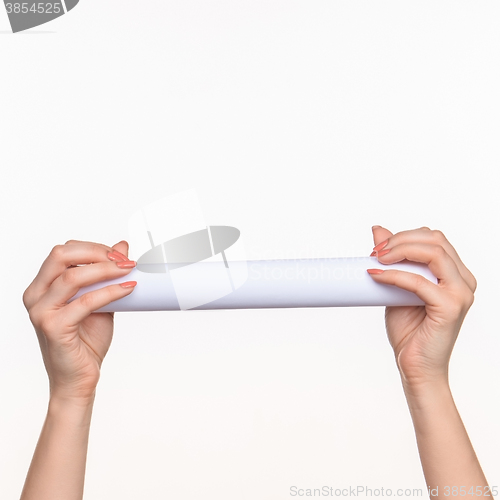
<point>427,291</point>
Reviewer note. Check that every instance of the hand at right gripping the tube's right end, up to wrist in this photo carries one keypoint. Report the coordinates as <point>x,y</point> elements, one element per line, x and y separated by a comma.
<point>423,336</point>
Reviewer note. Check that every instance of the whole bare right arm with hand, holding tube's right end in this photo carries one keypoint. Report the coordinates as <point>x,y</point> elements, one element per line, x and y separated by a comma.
<point>423,338</point>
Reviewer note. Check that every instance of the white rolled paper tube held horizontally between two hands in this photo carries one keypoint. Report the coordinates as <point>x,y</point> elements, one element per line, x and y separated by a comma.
<point>335,282</point>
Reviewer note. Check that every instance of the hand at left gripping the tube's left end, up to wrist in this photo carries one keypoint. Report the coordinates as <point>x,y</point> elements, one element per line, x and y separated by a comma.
<point>73,340</point>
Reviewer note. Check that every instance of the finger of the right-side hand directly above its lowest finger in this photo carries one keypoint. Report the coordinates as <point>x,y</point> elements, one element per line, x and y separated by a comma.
<point>435,256</point>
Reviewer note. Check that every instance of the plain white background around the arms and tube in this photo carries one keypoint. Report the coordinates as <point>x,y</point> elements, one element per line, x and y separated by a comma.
<point>303,123</point>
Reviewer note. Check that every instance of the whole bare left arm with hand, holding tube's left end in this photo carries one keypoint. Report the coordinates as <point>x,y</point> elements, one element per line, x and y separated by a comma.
<point>73,341</point>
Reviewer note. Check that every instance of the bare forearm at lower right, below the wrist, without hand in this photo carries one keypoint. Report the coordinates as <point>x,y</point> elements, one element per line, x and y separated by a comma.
<point>447,456</point>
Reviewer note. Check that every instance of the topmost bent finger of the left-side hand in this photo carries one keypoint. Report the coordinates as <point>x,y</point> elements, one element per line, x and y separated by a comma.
<point>60,258</point>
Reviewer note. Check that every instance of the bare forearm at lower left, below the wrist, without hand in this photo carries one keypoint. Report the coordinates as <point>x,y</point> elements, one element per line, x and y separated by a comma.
<point>57,470</point>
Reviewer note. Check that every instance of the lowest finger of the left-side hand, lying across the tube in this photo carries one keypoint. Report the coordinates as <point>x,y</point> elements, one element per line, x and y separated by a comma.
<point>75,312</point>
